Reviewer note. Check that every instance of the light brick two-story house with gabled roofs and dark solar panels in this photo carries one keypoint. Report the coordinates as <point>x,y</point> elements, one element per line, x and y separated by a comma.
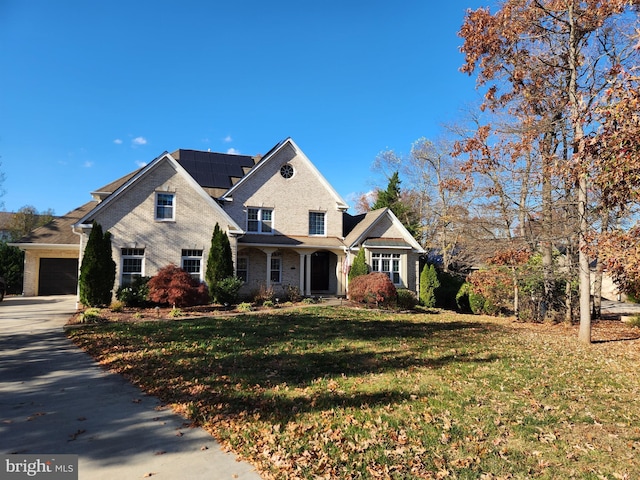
<point>286,224</point>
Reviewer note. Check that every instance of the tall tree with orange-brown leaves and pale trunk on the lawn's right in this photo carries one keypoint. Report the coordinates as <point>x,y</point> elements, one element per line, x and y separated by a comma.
<point>546,63</point>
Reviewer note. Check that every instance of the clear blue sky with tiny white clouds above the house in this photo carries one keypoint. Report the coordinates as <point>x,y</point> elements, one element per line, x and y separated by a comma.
<point>92,90</point>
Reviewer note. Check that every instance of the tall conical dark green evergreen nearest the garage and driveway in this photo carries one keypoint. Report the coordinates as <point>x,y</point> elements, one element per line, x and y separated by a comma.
<point>98,270</point>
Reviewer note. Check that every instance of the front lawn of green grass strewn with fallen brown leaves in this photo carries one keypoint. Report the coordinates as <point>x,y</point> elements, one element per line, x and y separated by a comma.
<point>348,393</point>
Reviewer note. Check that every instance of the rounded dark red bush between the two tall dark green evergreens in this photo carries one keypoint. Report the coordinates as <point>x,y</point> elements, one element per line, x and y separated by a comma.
<point>174,286</point>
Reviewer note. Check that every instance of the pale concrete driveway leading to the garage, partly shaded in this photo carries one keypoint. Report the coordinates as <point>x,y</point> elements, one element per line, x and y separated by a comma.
<point>54,399</point>
